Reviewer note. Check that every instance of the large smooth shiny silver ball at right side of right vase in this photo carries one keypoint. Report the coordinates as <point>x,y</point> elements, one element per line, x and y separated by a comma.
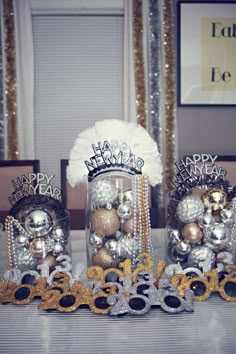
<point>218,236</point>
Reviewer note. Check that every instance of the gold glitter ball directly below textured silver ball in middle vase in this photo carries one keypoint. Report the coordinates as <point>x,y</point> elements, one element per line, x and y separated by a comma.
<point>105,221</point>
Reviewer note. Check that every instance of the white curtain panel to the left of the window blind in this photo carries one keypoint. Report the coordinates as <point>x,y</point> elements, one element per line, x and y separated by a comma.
<point>25,78</point>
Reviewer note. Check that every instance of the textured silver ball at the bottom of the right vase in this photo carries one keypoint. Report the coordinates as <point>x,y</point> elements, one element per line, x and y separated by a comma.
<point>201,257</point>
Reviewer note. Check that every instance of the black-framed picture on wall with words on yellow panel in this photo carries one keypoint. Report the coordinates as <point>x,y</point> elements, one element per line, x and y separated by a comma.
<point>207,53</point>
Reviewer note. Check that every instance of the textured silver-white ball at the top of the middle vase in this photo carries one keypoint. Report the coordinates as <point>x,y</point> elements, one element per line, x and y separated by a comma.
<point>103,193</point>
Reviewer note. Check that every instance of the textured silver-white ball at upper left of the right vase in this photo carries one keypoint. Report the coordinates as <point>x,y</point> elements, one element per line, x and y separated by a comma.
<point>189,209</point>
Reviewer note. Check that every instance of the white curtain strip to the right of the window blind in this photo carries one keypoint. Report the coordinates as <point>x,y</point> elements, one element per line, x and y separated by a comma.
<point>129,78</point>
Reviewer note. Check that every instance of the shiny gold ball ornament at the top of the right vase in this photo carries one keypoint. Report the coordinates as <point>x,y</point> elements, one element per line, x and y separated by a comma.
<point>216,199</point>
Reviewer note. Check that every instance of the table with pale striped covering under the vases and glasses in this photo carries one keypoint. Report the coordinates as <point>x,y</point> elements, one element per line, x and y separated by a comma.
<point>210,329</point>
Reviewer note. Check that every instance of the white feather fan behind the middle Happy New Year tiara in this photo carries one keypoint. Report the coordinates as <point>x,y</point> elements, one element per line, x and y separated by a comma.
<point>136,137</point>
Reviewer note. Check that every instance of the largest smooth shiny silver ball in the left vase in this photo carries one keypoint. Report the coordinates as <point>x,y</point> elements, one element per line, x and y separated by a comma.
<point>38,223</point>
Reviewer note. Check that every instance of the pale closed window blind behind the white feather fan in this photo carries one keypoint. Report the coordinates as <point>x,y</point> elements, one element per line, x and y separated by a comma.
<point>78,80</point>
